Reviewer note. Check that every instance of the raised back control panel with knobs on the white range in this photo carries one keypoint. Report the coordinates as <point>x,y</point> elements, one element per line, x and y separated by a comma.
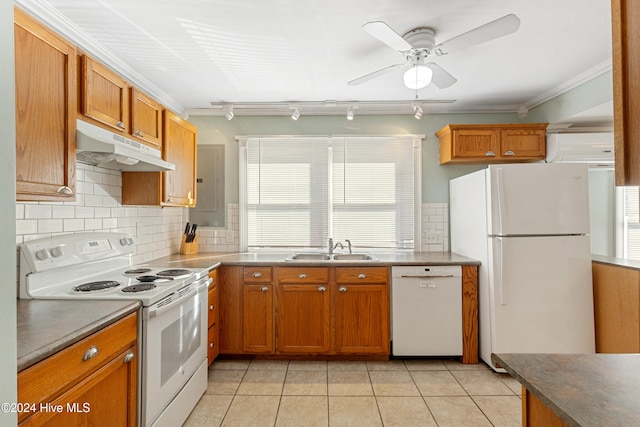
<point>71,249</point>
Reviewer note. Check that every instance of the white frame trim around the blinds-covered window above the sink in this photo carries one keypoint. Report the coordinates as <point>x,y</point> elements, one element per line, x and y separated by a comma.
<point>417,185</point>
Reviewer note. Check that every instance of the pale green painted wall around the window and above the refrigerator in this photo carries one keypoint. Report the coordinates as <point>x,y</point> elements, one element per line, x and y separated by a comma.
<point>435,178</point>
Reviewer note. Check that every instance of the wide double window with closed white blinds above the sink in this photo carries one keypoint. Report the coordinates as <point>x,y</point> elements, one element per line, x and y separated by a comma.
<point>300,191</point>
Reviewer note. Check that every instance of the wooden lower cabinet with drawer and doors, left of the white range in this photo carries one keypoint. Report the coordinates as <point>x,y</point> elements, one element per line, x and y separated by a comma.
<point>87,383</point>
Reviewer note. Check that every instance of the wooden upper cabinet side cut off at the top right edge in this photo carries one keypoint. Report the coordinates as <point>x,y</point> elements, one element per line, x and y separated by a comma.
<point>626,90</point>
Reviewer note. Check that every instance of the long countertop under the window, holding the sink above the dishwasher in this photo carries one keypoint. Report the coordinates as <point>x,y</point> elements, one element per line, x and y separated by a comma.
<point>212,260</point>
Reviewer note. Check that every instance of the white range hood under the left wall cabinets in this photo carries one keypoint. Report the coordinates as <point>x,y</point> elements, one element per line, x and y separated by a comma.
<point>99,147</point>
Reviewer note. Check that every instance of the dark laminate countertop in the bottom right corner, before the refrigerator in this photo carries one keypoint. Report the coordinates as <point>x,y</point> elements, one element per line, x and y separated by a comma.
<point>582,389</point>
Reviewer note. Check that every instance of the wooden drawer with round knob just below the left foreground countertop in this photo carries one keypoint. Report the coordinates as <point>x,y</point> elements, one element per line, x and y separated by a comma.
<point>59,372</point>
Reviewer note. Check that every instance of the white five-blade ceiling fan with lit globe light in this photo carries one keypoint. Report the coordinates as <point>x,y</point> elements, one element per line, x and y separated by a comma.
<point>419,44</point>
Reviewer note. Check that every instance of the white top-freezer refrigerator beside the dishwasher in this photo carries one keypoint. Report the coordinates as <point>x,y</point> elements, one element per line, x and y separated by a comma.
<point>528,225</point>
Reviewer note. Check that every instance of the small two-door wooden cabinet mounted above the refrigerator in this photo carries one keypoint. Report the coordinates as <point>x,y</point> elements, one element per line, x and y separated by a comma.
<point>492,143</point>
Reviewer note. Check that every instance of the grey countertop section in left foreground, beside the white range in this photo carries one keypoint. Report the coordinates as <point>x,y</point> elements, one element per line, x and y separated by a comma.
<point>48,326</point>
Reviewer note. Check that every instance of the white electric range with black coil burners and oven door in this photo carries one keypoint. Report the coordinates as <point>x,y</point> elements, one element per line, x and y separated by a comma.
<point>173,329</point>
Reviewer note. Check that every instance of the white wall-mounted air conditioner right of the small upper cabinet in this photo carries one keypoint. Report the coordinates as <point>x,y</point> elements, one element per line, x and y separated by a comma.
<point>596,149</point>
